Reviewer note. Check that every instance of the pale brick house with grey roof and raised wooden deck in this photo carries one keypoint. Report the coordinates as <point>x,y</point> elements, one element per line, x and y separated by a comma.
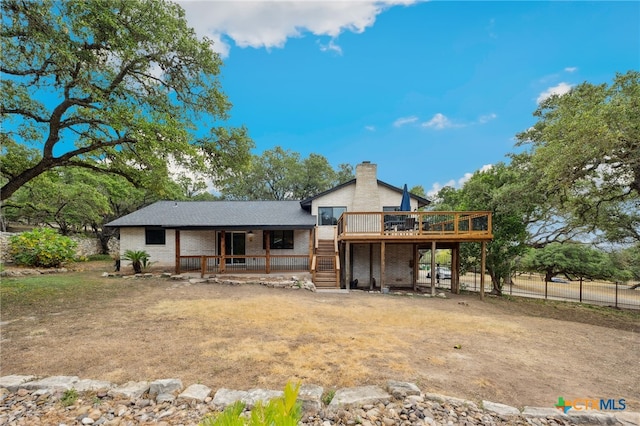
<point>354,231</point>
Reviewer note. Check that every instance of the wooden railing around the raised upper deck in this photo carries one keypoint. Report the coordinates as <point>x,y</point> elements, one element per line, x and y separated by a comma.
<point>463,225</point>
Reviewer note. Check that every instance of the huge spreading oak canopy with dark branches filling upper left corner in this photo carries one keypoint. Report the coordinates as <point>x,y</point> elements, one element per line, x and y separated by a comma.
<point>134,88</point>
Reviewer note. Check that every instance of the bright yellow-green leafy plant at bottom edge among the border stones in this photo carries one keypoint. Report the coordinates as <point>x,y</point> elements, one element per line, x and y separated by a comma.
<point>284,411</point>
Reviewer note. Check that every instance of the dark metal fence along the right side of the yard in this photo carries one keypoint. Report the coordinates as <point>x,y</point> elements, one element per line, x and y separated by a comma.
<point>604,293</point>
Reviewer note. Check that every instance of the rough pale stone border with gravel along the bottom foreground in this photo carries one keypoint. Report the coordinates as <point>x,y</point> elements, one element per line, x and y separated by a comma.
<point>31,400</point>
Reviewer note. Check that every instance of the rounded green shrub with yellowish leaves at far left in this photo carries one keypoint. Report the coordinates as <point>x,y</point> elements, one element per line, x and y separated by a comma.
<point>42,247</point>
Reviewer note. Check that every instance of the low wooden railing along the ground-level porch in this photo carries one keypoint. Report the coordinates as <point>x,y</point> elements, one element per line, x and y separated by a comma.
<point>259,264</point>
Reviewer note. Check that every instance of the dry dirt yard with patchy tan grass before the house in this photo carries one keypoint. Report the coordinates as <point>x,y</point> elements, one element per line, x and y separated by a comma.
<point>510,351</point>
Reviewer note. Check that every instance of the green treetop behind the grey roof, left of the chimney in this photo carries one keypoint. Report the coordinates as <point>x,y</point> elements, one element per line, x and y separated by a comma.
<point>280,174</point>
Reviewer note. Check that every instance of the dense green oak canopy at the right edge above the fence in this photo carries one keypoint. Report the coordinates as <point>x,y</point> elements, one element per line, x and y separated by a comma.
<point>588,144</point>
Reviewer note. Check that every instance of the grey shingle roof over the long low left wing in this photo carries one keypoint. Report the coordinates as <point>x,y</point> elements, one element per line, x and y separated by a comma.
<point>220,214</point>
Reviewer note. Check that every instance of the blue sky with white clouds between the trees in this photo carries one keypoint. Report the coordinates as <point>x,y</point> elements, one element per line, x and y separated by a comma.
<point>430,91</point>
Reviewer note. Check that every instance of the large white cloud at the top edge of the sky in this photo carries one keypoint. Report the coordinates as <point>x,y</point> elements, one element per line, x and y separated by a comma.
<point>268,24</point>
